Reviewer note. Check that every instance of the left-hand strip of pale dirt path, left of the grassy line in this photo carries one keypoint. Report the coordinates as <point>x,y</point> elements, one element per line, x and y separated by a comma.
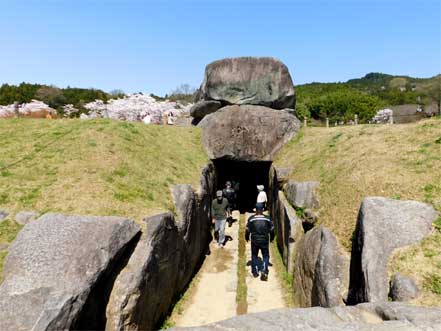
<point>214,297</point>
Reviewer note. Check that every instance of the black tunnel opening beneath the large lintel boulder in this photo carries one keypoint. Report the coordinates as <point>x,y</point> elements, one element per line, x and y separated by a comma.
<point>245,176</point>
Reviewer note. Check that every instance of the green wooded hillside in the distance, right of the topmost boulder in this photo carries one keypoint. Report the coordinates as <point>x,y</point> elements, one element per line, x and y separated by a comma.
<point>364,96</point>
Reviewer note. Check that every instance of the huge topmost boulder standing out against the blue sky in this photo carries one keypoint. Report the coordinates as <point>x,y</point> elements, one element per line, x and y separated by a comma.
<point>262,81</point>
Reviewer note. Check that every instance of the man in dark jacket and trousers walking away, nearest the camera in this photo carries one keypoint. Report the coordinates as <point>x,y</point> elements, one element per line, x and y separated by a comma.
<point>261,229</point>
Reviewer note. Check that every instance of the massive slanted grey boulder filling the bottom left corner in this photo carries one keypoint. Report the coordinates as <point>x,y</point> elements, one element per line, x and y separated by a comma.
<point>59,269</point>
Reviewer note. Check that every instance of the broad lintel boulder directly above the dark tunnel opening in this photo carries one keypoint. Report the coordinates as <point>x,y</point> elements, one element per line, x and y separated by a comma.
<point>247,133</point>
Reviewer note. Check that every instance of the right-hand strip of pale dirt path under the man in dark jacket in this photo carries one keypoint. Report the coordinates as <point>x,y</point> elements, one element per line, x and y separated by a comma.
<point>263,295</point>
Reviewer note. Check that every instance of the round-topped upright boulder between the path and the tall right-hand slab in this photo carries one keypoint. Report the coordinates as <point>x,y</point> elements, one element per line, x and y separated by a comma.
<point>321,270</point>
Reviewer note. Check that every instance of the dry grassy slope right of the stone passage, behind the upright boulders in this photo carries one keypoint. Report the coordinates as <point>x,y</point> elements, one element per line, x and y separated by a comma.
<point>400,161</point>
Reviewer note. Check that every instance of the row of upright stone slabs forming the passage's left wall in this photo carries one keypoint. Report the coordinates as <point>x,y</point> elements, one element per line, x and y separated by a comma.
<point>165,260</point>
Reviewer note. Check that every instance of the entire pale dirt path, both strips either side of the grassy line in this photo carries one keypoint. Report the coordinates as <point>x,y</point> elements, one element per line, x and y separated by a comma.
<point>213,297</point>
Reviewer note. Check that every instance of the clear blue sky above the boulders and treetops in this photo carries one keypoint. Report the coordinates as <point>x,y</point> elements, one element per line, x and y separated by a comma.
<point>154,46</point>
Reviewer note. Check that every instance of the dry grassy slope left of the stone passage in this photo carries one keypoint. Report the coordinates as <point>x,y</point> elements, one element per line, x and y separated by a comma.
<point>96,167</point>
